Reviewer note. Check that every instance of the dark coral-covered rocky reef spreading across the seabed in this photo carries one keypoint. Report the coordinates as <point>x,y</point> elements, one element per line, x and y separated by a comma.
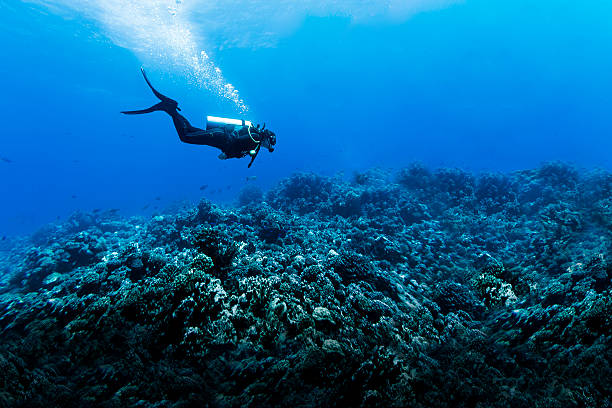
<point>420,288</point>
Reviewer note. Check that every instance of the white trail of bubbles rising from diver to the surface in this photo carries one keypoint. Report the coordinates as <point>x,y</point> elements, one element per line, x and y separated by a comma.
<point>158,32</point>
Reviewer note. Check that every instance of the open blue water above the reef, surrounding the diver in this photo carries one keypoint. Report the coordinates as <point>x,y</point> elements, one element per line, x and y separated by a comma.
<point>476,84</point>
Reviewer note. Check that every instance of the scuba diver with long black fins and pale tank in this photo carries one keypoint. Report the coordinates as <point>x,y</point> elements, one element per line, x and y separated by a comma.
<point>235,137</point>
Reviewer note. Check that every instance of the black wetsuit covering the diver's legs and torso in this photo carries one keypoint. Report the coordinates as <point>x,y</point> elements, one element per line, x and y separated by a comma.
<point>235,144</point>
